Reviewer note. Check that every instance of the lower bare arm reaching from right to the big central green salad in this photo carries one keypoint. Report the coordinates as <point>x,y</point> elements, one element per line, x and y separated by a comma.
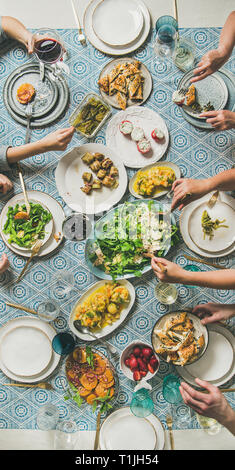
<point>220,279</point>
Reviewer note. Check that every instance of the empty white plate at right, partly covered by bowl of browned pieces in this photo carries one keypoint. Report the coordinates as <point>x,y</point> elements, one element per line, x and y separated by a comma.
<point>216,361</point>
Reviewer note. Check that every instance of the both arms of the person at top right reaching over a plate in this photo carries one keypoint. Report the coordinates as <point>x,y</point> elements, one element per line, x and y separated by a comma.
<point>210,63</point>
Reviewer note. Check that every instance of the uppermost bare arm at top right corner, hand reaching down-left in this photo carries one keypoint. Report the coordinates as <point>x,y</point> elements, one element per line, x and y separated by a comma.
<point>215,58</point>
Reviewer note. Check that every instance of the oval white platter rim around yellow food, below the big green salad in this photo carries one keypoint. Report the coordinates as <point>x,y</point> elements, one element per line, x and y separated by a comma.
<point>109,328</point>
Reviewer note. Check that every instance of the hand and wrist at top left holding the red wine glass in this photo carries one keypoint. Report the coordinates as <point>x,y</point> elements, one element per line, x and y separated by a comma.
<point>16,30</point>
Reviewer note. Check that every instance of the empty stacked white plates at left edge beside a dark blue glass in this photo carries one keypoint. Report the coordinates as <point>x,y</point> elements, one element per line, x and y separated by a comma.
<point>26,353</point>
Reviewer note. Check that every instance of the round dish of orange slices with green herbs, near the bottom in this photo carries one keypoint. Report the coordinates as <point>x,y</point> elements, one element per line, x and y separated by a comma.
<point>91,378</point>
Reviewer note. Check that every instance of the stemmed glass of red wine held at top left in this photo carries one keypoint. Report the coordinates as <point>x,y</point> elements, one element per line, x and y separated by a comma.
<point>49,49</point>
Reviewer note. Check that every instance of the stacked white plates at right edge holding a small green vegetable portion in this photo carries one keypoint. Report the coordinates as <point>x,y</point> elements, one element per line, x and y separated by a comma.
<point>223,241</point>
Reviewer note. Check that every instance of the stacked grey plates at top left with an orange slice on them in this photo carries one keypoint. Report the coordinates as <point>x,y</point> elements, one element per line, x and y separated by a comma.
<point>50,100</point>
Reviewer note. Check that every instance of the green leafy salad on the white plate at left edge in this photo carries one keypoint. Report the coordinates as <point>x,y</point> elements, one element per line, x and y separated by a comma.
<point>24,229</point>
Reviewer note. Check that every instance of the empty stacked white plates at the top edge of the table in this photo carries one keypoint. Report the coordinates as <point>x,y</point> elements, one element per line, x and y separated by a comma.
<point>116,27</point>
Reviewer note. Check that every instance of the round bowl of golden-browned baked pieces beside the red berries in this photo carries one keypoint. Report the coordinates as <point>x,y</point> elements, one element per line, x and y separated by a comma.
<point>178,341</point>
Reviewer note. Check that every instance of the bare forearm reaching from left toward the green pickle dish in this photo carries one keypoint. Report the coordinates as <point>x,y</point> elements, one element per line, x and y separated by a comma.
<point>57,140</point>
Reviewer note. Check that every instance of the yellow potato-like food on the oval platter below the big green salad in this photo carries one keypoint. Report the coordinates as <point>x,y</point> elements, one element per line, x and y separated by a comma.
<point>103,307</point>
